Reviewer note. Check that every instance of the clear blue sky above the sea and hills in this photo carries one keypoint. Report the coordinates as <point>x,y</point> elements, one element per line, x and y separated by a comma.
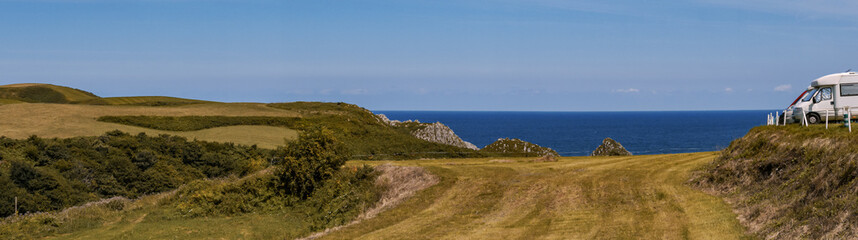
<point>541,55</point>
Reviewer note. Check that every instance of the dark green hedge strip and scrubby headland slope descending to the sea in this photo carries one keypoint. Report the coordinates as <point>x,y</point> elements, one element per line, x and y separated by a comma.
<point>364,134</point>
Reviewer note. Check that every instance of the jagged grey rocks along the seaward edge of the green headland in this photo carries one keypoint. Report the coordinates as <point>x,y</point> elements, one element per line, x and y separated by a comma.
<point>433,132</point>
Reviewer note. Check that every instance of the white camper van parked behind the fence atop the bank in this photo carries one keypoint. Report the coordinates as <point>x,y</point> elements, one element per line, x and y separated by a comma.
<point>826,96</point>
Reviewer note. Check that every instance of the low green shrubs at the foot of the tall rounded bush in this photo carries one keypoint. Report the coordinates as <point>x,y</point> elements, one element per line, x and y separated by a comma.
<point>333,202</point>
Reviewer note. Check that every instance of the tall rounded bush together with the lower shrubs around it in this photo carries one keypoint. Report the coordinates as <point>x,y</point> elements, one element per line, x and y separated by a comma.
<point>311,180</point>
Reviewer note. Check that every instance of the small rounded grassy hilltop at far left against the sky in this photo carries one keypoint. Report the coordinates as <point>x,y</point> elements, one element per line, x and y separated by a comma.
<point>44,93</point>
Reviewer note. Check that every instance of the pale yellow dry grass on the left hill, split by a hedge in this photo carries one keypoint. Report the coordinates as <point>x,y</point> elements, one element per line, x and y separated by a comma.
<point>70,120</point>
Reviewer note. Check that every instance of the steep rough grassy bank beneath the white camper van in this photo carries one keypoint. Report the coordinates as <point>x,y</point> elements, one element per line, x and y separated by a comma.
<point>790,182</point>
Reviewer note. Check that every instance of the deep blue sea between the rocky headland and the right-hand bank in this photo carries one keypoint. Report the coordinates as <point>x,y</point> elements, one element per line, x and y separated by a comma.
<point>579,133</point>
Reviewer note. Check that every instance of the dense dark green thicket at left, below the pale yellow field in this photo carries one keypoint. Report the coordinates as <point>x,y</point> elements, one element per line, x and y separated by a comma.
<point>52,174</point>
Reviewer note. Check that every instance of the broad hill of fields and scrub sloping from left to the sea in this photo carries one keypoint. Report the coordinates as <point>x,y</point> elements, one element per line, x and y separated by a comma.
<point>81,113</point>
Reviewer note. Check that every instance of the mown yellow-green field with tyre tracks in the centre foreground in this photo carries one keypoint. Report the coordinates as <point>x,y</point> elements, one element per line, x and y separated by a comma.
<point>636,197</point>
